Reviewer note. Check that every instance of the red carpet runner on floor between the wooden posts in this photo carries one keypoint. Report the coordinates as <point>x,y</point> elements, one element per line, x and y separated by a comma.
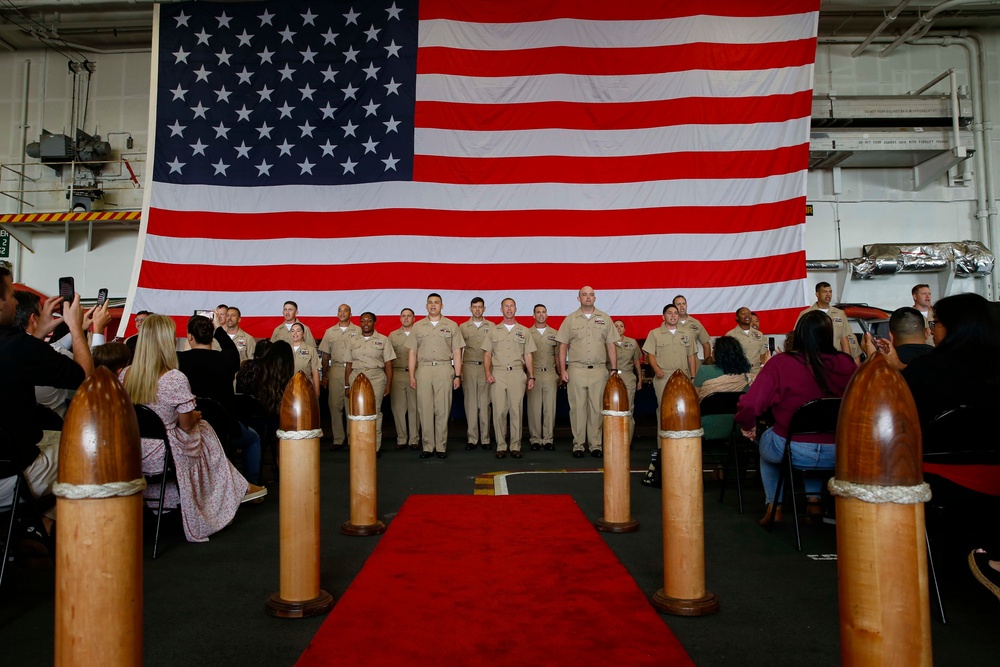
<point>507,580</point>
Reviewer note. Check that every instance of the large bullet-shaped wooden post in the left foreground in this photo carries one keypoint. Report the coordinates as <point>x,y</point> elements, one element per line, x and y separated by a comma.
<point>99,531</point>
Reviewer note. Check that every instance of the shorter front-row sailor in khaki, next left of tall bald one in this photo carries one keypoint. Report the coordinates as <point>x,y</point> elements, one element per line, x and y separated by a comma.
<point>507,351</point>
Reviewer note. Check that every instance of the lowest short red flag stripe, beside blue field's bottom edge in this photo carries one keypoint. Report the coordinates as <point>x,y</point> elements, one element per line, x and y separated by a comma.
<point>626,169</point>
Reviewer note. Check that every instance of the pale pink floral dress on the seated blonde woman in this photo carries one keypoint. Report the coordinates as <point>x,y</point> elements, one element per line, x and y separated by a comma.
<point>209,489</point>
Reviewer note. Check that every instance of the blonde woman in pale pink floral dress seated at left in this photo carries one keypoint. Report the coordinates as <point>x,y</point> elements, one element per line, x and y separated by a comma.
<point>209,490</point>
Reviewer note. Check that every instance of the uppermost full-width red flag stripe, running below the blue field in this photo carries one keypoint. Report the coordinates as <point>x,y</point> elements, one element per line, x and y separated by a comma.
<point>482,224</point>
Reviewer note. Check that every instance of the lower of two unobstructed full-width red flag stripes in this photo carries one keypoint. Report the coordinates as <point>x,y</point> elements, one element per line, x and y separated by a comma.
<point>387,276</point>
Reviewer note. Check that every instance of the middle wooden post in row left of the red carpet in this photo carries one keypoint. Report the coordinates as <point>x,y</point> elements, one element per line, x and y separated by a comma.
<point>299,594</point>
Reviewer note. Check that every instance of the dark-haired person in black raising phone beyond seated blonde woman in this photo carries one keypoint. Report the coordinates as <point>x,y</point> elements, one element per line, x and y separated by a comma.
<point>211,375</point>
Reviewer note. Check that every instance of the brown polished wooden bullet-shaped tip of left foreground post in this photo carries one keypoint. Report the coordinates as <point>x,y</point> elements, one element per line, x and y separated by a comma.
<point>100,436</point>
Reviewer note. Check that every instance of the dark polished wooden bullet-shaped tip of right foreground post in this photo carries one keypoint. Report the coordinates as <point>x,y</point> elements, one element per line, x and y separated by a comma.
<point>878,429</point>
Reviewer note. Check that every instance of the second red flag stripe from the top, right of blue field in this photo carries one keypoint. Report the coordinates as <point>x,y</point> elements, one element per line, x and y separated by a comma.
<point>615,62</point>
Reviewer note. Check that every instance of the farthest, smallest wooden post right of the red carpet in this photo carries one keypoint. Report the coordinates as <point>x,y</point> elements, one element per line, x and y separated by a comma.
<point>617,499</point>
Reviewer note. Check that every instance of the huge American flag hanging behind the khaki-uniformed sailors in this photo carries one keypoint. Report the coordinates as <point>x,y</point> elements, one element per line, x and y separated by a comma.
<point>370,152</point>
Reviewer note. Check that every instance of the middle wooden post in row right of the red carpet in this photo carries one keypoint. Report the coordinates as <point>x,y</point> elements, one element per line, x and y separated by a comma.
<point>683,591</point>
